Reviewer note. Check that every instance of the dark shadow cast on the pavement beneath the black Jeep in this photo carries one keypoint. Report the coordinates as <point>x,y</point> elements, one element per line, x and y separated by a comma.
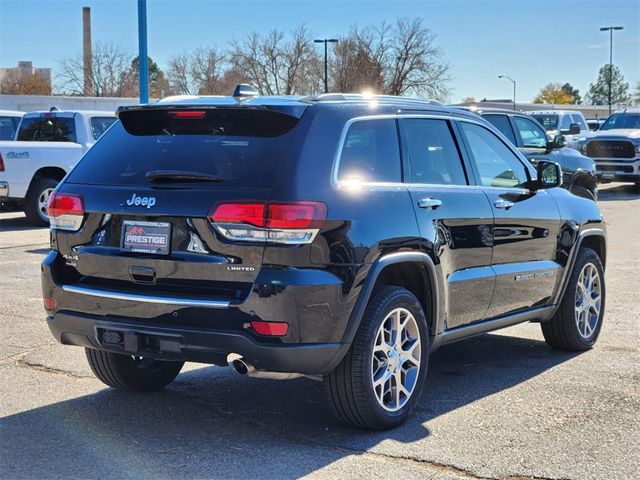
<point>212,422</point>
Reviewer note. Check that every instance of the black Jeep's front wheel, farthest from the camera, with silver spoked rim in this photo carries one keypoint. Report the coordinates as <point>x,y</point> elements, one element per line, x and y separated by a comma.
<point>578,321</point>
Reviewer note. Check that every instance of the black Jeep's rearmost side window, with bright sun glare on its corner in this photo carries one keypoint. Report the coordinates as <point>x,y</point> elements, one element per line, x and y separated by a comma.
<point>371,152</point>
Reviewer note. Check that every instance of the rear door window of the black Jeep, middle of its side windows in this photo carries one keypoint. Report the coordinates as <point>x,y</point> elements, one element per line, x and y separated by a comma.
<point>433,153</point>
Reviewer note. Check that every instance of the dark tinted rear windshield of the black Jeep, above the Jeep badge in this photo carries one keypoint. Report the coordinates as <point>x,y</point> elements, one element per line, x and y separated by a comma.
<point>242,148</point>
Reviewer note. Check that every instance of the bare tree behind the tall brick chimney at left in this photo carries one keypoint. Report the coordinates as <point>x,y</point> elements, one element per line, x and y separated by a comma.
<point>109,63</point>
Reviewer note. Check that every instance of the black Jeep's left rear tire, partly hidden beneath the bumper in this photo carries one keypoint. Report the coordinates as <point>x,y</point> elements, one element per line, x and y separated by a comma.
<point>137,374</point>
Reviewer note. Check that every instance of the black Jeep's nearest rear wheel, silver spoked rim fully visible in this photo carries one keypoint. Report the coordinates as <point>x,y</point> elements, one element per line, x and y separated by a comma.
<point>380,380</point>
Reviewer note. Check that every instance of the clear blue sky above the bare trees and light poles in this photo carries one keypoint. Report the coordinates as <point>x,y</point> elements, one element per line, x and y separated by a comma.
<point>533,41</point>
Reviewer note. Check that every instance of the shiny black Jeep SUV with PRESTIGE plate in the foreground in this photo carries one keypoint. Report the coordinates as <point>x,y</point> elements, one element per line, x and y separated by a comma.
<point>339,237</point>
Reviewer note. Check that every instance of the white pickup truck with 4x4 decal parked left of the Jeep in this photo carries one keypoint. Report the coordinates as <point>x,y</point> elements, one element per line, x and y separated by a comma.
<point>47,145</point>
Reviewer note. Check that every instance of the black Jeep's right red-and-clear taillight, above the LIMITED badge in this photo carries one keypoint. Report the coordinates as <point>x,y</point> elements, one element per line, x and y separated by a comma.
<point>276,222</point>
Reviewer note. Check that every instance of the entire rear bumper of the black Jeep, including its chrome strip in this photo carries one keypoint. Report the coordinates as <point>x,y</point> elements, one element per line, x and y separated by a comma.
<point>206,330</point>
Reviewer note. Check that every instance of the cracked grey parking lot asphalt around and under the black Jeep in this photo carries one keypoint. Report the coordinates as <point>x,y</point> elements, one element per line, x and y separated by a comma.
<point>501,405</point>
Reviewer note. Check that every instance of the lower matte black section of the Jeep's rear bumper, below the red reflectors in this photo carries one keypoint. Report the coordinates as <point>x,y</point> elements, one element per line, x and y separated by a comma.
<point>193,344</point>
